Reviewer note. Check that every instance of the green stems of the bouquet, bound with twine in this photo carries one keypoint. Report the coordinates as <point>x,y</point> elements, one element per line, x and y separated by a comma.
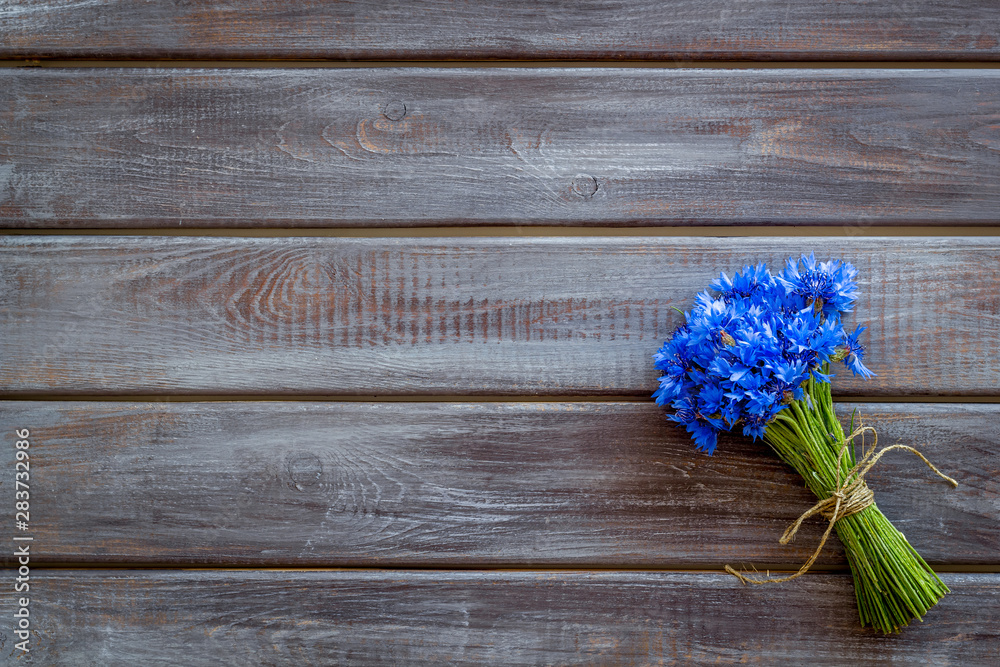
<point>892,583</point>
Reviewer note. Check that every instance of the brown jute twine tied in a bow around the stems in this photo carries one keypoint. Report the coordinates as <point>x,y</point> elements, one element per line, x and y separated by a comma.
<point>849,497</point>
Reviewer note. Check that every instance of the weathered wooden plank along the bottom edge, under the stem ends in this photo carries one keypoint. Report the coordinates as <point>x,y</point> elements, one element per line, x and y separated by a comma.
<point>473,618</point>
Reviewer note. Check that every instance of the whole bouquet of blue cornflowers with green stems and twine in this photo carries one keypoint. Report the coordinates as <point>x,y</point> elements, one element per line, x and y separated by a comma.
<point>755,357</point>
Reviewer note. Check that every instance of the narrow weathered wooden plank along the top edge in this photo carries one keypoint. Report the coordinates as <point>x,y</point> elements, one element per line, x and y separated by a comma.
<point>442,29</point>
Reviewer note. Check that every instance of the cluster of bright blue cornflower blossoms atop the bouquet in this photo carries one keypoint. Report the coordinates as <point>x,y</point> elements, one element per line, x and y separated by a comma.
<point>741,356</point>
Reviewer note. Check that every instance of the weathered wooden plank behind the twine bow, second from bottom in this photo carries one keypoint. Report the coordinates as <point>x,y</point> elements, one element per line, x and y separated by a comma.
<point>485,485</point>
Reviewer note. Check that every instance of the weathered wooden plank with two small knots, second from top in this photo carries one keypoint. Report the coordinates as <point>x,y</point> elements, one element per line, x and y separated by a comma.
<point>375,147</point>
